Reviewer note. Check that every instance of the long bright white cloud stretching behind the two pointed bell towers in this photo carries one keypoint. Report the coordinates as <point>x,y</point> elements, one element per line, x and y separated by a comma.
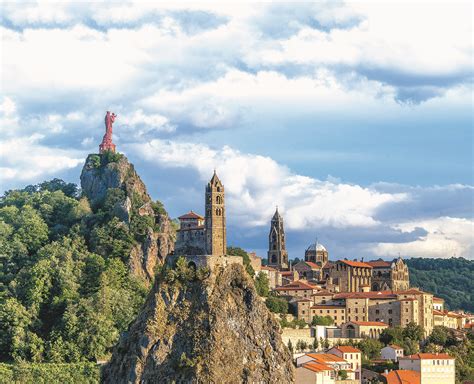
<point>255,184</point>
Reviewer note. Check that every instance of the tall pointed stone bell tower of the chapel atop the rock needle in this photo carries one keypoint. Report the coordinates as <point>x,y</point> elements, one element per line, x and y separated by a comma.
<point>215,218</point>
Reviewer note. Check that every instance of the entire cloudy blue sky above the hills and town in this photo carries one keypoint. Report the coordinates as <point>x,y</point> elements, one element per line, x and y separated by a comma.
<point>355,119</point>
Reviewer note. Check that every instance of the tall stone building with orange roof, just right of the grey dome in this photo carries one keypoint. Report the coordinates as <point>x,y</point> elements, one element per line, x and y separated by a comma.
<point>351,276</point>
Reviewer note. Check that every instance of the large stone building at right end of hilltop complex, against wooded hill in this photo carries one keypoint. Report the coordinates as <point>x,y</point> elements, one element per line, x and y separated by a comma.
<point>389,275</point>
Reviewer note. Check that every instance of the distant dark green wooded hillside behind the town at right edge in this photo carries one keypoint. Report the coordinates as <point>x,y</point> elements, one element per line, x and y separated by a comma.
<point>451,279</point>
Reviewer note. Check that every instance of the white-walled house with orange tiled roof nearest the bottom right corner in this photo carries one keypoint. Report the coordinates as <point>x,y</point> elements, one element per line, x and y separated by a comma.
<point>434,368</point>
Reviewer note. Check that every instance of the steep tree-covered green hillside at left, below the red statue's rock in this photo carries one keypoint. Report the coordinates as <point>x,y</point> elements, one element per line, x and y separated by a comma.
<point>67,287</point>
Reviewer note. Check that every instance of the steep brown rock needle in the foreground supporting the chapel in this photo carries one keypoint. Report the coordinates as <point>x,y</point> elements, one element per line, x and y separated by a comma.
<point>209,330</point>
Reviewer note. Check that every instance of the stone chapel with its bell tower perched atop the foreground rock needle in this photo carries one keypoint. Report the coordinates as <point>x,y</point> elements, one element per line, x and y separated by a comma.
<point>206,235</point>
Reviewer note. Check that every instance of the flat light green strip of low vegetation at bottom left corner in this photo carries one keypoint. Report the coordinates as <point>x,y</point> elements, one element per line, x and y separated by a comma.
<point>83,373</point>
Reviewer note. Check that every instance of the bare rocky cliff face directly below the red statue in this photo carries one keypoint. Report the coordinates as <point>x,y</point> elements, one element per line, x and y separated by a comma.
<point>105,173</point>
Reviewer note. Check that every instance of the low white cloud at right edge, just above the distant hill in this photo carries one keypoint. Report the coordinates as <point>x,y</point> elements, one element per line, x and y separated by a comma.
<point>447,237</point>
